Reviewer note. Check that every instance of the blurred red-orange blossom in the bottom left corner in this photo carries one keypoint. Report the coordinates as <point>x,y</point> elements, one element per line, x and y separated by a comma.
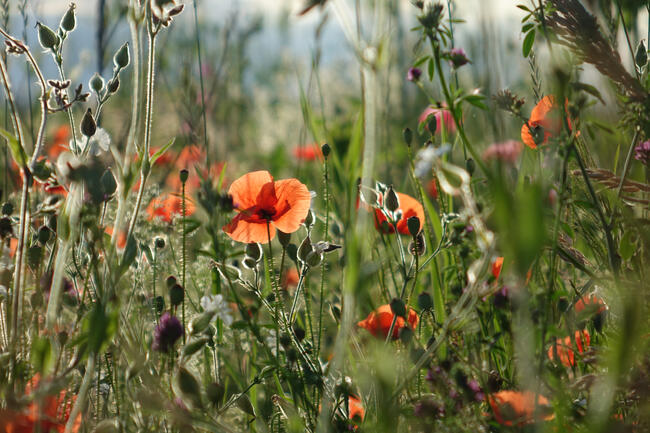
<point>50,414</point>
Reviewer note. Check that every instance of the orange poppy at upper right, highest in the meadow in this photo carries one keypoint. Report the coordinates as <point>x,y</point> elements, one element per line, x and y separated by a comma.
<point>545,121</point>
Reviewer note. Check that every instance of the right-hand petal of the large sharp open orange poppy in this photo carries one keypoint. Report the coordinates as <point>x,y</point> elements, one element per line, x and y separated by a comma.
<point>293,202</point>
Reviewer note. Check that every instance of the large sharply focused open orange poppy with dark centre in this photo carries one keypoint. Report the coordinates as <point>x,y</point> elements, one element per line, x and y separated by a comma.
<point>260,200</point>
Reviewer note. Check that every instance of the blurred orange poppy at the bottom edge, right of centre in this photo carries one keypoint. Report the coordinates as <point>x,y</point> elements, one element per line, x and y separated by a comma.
<point>516,408</point>
